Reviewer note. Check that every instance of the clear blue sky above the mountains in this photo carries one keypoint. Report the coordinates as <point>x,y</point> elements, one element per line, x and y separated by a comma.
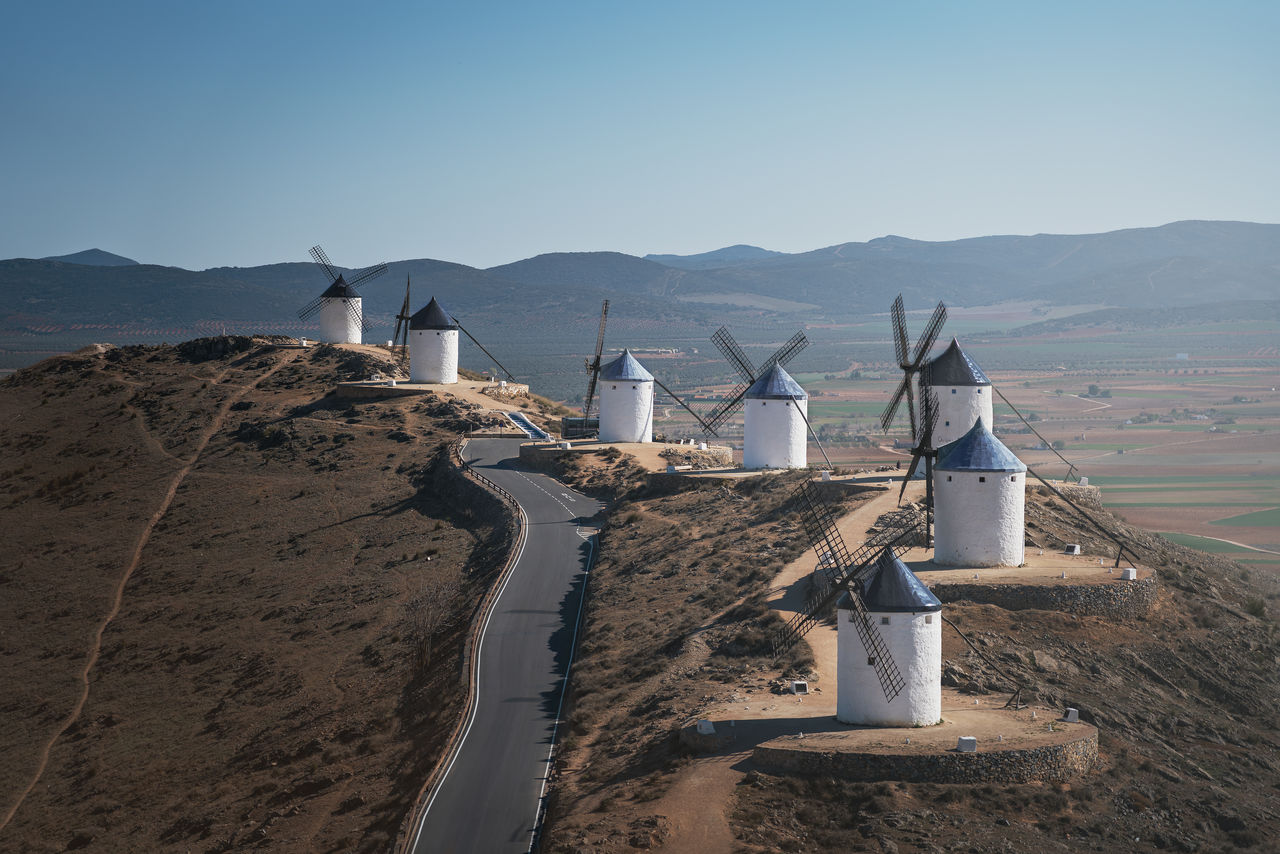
<point>243,134</point>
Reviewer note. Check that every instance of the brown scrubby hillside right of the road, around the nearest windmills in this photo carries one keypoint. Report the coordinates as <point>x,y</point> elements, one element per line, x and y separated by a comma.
<point>1187,701</point>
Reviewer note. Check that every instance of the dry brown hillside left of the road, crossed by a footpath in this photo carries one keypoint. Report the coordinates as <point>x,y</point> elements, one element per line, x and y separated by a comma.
<point>232,605</point>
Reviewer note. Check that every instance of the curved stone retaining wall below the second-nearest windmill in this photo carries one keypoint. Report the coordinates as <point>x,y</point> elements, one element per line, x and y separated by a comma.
<point>1117,600</point>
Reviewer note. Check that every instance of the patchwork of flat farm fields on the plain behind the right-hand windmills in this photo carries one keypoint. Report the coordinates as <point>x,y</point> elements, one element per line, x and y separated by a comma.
<point>1187,445</point>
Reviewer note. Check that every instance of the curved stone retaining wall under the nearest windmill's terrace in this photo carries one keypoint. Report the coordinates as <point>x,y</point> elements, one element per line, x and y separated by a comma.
<point>1050,764</point>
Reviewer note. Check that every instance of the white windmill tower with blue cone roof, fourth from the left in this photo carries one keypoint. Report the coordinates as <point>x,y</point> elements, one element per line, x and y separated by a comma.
<point>774,431</point>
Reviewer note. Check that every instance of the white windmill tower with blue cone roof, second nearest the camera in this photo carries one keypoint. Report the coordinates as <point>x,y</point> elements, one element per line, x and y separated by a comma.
<point>980,495</point>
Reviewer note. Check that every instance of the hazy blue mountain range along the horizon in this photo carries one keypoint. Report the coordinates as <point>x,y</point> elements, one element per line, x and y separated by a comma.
<point>1180,264</point>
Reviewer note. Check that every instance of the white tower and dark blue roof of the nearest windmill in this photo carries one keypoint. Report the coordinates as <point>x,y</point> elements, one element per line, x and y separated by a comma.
<point>909,620</point>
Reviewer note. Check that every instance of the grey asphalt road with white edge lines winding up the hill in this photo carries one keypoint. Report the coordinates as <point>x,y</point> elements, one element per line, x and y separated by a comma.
<point>491,796</point>
